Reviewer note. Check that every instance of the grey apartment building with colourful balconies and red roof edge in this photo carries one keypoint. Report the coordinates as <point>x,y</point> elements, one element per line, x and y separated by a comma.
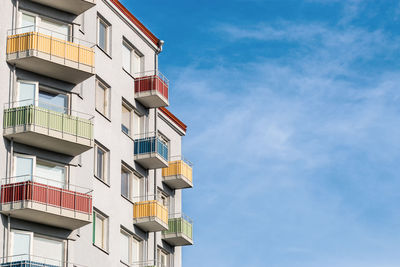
<point>91,166</point>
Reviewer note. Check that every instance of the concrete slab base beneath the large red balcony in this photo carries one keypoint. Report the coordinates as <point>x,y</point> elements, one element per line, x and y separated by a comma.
<point>45,214</point>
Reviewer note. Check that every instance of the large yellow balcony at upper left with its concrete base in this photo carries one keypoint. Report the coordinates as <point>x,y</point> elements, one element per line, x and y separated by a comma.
<point>51,54</point>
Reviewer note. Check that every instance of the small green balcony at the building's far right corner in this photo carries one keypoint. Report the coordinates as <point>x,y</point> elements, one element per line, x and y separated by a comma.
<point>180,231</point>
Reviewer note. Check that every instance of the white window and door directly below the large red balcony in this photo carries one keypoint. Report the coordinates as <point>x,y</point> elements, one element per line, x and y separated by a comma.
<point>30,246</point>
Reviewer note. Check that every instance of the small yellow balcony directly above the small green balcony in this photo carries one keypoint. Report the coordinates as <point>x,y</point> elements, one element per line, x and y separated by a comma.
<point>178,174</point>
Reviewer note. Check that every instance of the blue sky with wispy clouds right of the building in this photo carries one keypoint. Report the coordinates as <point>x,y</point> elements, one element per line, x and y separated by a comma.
<point>293,110</point>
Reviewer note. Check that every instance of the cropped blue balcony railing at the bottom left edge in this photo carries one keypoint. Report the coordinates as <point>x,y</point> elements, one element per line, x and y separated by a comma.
<point>28,260</point>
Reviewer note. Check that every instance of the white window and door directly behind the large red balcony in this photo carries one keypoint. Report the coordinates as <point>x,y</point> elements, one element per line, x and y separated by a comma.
<point>29,168</point>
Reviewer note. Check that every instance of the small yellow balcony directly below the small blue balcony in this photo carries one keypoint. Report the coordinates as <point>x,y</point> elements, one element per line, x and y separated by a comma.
<point>150,216</point>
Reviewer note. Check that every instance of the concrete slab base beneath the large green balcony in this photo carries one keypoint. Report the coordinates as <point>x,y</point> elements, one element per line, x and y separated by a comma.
<point>49,139</point>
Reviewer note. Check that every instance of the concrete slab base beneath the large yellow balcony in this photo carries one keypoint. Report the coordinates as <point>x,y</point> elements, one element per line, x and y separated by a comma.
<point>51,66</point>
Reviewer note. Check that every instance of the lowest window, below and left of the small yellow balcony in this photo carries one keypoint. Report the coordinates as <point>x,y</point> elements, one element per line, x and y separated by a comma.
<point>131,248</point>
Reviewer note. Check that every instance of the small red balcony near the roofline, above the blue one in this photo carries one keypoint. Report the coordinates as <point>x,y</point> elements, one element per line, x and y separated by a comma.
<point>151,89</point>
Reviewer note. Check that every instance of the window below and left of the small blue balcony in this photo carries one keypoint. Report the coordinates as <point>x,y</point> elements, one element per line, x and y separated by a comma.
<point>130,184</point>
